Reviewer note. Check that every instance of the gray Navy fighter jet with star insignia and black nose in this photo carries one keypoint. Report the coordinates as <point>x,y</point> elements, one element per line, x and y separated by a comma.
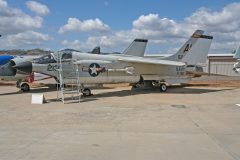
<point>129,67</point>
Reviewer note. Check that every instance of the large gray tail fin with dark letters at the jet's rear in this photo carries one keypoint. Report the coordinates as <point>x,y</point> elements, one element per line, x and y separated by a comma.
<point>195,50</point>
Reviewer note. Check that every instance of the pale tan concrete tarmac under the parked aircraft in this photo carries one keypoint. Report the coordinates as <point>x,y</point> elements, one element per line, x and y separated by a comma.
<point>191,123</point>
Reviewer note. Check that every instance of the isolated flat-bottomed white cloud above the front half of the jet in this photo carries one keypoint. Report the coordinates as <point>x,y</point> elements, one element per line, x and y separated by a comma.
<point>90,25</point>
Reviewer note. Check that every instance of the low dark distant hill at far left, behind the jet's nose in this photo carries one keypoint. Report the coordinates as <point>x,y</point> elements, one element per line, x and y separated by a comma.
<point>24,52</point>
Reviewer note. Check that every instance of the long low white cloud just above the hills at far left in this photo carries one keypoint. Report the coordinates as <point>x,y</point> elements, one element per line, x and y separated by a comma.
<point>23,39</point>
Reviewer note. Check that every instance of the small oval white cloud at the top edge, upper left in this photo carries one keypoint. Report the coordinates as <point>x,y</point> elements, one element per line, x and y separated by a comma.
<point>38,8</point>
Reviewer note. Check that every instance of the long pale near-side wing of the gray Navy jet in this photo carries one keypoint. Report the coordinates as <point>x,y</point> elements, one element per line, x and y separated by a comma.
<point>150,61</point>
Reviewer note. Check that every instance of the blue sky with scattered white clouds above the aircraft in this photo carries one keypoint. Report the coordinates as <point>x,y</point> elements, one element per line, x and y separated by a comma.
<point>113,24</point>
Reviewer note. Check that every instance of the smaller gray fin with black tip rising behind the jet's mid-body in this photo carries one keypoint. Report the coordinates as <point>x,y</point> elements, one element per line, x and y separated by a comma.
<point>136,48</point>
